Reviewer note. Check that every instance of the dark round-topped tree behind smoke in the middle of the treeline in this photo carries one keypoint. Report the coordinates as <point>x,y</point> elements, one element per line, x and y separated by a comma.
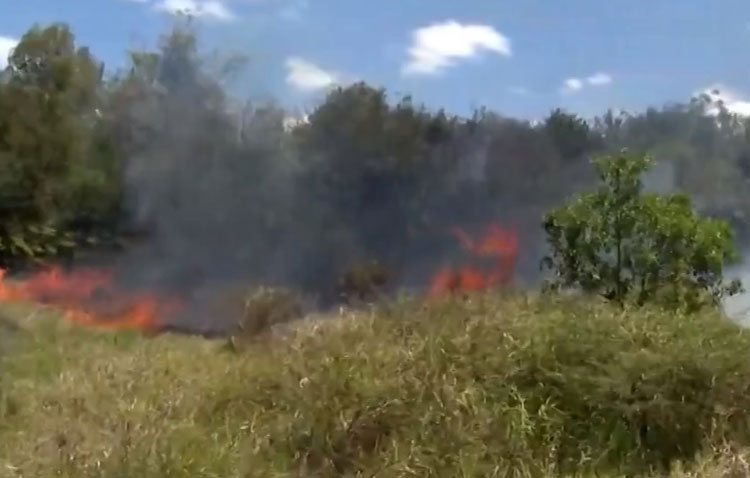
<point>372,170</point>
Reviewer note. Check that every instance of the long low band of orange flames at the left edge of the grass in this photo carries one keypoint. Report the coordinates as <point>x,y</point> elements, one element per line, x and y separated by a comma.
<point>87,297</point>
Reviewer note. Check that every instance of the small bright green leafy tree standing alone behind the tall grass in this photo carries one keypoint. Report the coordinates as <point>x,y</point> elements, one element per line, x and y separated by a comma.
<point>627,245</point>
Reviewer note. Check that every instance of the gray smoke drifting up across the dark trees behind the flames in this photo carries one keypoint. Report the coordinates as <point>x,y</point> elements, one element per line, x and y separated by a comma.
<point>229,197</point>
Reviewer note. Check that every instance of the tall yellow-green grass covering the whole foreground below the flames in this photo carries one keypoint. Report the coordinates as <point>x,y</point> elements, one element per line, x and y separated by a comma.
<point>490,386</point>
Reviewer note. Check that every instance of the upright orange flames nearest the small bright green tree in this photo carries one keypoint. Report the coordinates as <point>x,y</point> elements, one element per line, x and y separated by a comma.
<point>496,242</point>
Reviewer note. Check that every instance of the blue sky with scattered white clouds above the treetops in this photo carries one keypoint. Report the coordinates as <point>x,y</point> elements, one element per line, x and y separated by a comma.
<point>519,57</point>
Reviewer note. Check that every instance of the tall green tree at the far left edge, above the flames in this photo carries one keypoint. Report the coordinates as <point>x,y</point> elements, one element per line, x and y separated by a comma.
<point>50,173</point>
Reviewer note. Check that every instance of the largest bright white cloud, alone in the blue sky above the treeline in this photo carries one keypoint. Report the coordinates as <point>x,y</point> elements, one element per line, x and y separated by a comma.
<point>438,46</point>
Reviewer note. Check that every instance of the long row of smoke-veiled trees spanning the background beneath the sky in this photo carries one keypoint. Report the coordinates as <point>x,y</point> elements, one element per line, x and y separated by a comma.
<point>160,156</point>
